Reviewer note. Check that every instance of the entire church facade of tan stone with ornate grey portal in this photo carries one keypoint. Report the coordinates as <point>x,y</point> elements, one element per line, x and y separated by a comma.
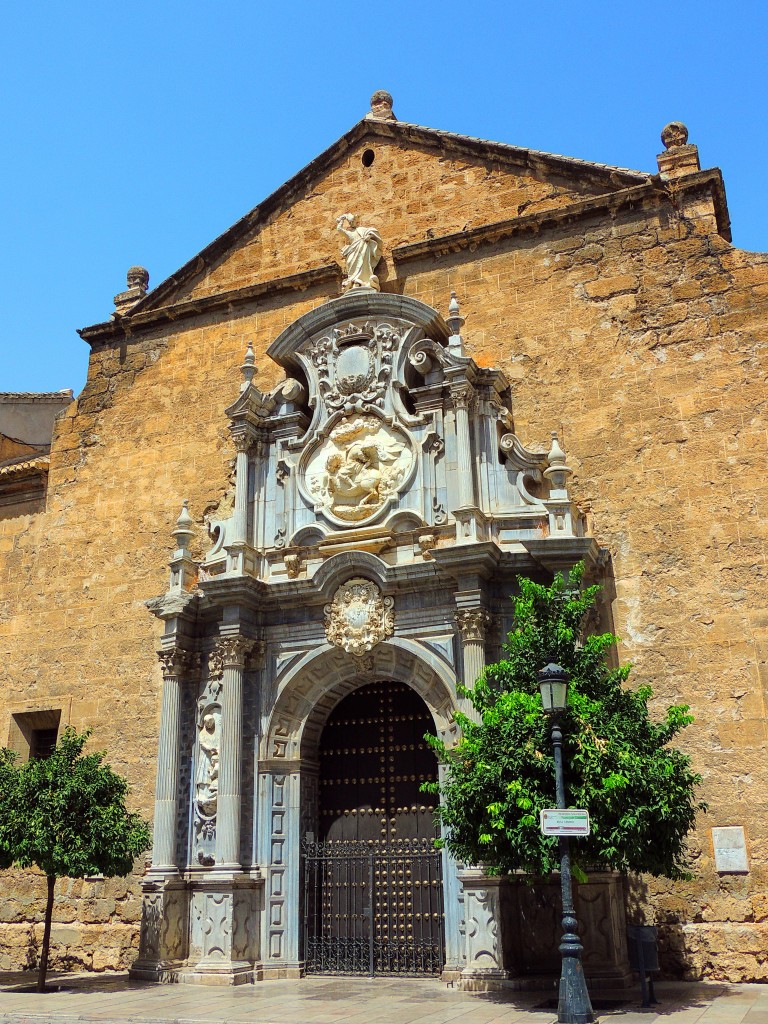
<point>503,363</point>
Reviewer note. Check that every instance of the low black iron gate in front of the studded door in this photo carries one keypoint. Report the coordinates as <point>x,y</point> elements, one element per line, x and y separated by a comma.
<point>373,909</point>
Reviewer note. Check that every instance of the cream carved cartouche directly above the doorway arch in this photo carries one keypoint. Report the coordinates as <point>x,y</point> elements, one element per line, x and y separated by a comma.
<point>359,618</point>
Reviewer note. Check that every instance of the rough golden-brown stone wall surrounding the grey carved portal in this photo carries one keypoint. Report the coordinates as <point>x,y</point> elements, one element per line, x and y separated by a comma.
<point>641,333</point>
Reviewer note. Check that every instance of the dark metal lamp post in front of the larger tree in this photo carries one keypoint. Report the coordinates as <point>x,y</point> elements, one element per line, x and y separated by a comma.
<point>574,1005</point>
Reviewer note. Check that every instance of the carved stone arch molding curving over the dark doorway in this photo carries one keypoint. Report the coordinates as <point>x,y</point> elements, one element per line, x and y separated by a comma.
<point>312,688</point>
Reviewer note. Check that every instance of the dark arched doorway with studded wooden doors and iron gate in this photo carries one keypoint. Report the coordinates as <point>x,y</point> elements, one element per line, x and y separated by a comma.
<point>373,884</point>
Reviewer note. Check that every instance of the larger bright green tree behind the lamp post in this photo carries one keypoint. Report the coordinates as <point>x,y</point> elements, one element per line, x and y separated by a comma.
<point>641,792</point>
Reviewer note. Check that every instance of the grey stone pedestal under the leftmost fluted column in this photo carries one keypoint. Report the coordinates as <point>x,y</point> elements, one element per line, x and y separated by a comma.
<point>165,929</point>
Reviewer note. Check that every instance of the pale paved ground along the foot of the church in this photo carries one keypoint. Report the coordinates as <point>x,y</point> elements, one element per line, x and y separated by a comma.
<point>113,1000</point>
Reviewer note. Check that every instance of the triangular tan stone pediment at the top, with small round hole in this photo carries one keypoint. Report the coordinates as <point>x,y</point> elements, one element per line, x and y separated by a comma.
<point>413,184</point>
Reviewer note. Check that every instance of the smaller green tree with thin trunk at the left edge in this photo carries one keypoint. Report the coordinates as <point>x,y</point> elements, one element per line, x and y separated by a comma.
<point>67,816</point>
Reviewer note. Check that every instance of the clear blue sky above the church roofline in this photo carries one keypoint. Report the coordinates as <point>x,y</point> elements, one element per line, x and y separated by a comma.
<point>137,134</point>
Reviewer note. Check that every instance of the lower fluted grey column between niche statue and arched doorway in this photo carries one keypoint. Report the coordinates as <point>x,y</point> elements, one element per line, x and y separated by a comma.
<point>234,653</point>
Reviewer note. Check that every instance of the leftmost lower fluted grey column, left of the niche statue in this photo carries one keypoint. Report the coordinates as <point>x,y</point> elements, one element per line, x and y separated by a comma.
<point>164,847</point>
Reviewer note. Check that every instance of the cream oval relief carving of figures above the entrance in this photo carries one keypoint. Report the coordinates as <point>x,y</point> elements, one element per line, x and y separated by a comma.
<point>358,468</point>
